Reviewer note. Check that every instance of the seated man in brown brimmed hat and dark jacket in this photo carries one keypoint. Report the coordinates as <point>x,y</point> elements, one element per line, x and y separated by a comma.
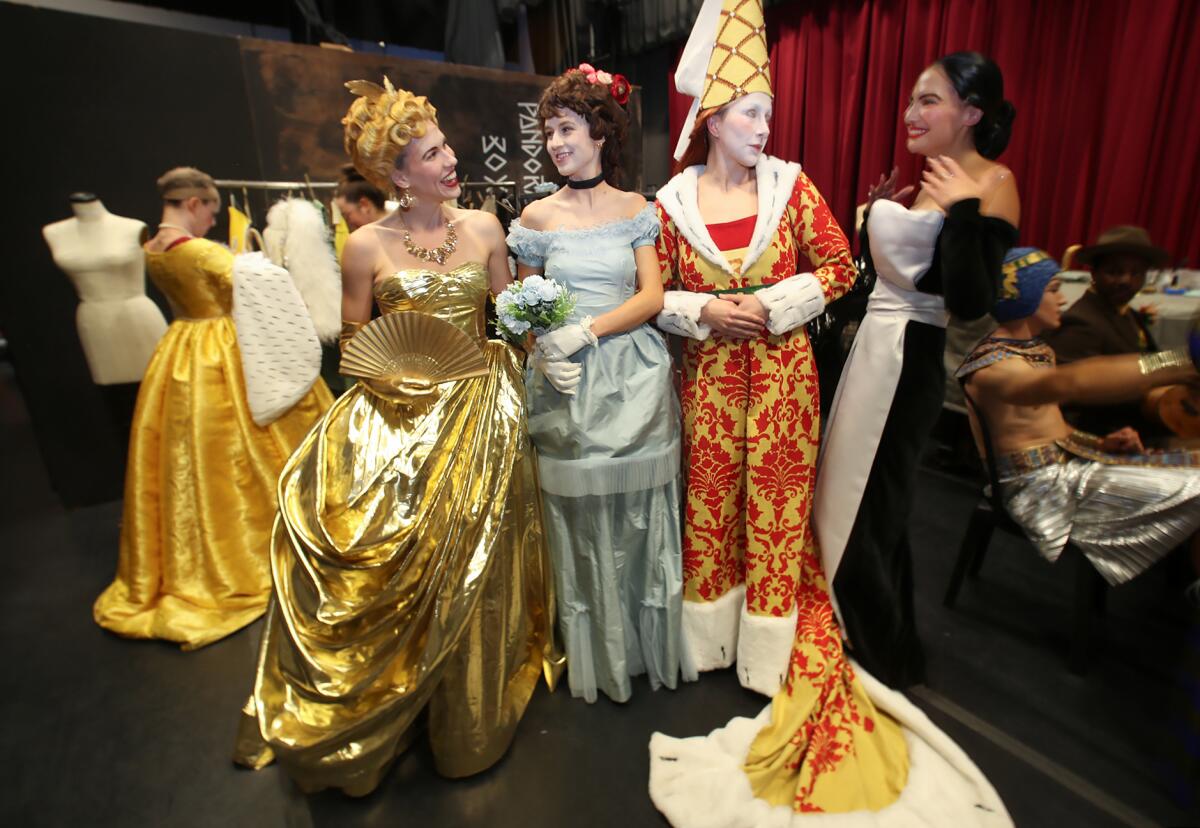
<point>1102,323</point>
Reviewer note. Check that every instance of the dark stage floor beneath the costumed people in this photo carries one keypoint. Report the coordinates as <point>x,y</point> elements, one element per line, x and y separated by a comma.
<point>101,731</point>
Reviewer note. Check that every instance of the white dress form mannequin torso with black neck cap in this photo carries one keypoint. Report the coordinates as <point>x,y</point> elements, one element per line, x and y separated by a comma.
<point>118,325</point>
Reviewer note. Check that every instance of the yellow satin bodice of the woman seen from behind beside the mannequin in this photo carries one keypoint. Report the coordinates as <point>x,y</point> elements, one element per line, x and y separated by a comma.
<point>196,278</point>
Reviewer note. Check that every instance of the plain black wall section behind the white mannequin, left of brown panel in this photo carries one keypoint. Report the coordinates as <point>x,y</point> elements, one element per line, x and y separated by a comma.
<point>104,107</point>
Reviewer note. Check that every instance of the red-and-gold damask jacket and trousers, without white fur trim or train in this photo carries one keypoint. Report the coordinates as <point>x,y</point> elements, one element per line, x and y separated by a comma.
<point>752,421</point>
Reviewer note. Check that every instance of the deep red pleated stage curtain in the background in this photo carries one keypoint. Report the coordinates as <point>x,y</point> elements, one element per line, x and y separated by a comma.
<point>1107,97</point>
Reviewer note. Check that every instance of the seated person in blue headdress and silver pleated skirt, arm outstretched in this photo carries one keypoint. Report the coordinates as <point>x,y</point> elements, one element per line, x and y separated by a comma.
<point>1125,508</point>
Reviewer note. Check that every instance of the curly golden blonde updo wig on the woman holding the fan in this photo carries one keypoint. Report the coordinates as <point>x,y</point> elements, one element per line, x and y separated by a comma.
<point>381,123</point>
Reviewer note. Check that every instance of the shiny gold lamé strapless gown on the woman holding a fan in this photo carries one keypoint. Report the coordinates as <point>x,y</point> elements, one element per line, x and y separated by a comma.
<point>410,568</point>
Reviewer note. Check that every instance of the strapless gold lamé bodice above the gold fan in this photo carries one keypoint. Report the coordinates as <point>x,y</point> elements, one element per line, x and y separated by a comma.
<point>459,296</point>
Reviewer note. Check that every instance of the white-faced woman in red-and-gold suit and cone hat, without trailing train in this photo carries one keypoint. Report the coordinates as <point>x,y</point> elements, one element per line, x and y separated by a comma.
<point>751,254</point>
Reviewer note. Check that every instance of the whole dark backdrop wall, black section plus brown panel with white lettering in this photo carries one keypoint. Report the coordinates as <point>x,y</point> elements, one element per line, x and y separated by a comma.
<point>105,107</point>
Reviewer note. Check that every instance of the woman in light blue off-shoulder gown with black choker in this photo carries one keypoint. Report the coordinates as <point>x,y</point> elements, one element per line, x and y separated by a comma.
<point>603,411</point>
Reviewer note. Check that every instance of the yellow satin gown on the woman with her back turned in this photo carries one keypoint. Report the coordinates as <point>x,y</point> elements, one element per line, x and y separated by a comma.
<point>200,485</point>
